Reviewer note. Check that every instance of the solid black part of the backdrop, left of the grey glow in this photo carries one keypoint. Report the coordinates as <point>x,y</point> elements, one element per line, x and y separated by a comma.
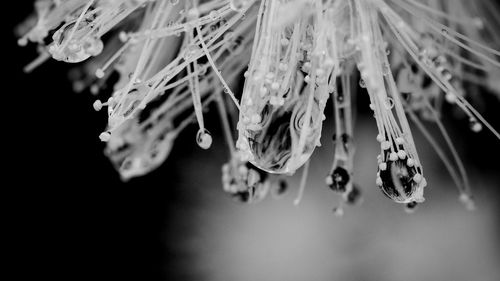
<point>72,217</point>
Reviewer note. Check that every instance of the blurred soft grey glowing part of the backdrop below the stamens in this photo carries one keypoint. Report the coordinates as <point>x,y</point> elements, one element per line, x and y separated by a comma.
<point>216,238</point>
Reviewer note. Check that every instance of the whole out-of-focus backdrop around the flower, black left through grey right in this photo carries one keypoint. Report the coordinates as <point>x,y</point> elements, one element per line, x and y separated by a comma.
<point>70,216</point>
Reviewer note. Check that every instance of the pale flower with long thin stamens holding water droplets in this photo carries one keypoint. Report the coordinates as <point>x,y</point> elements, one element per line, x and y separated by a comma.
<point>174,58</point>
